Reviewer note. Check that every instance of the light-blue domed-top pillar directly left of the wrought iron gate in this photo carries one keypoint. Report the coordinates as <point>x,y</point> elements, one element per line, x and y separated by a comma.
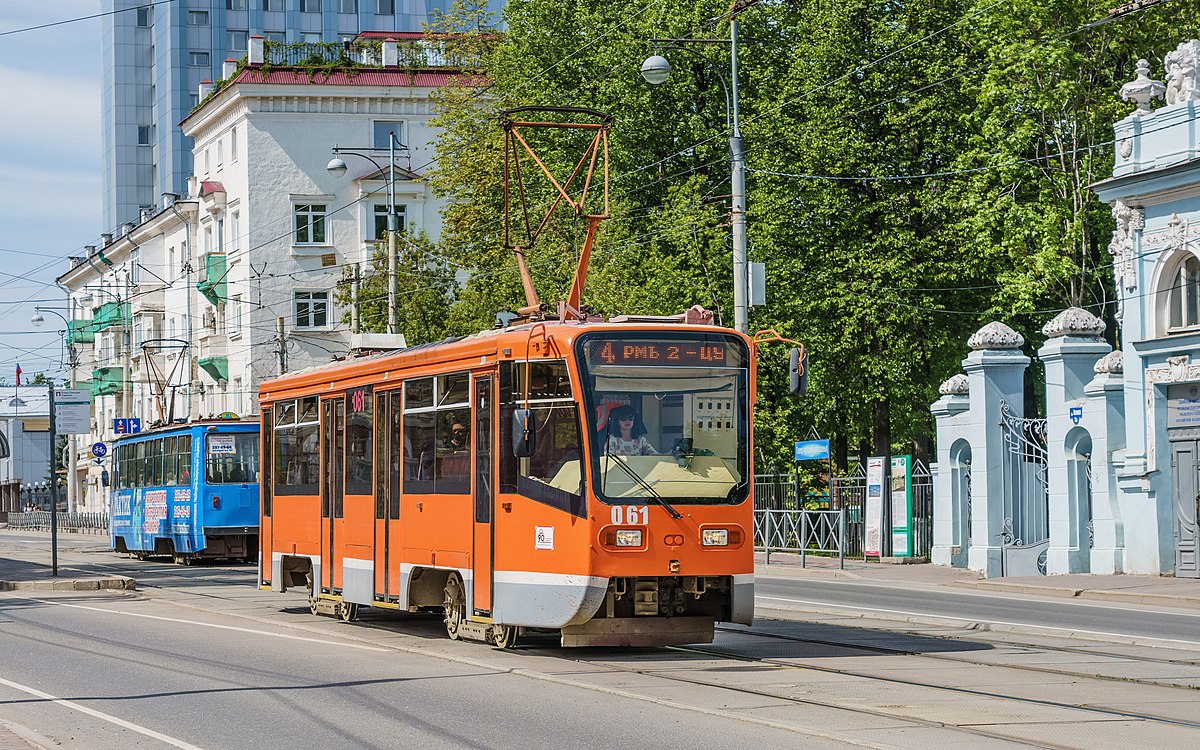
<point>997,375</point>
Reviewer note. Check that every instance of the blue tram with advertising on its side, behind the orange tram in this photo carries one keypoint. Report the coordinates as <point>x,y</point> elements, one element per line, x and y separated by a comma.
<point>188,491</point>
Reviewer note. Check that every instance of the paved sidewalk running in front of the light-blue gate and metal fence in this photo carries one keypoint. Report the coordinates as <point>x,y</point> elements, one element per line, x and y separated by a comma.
<point>1159,591</point>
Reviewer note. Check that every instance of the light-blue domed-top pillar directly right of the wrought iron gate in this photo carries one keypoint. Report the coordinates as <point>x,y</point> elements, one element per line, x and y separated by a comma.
<point>1070,356</point>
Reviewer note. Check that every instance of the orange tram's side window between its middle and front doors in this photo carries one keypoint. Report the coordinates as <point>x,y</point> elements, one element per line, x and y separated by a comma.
<point>437,435</point>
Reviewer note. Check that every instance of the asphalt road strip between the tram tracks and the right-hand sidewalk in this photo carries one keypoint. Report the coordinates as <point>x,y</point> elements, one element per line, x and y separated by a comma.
<point>1077,617</point>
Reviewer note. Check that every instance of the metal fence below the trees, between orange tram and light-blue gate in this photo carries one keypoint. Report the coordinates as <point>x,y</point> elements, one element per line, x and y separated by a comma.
<point>785,523</point>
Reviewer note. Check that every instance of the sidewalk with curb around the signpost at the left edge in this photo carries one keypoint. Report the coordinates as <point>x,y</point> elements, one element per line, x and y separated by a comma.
<point>29,567</point>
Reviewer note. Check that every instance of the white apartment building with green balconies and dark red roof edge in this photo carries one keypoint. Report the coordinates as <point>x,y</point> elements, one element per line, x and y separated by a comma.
<point>185,314</point>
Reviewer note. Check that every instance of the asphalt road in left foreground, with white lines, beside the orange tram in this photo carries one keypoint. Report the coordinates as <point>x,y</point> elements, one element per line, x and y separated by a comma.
<point>129,671</point>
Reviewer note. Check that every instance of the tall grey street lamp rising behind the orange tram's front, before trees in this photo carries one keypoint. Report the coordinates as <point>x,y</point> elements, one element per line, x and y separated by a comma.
<point>656,70</point>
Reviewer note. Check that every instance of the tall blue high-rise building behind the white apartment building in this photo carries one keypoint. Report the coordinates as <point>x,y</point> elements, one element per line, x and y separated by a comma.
<point>155,53</point>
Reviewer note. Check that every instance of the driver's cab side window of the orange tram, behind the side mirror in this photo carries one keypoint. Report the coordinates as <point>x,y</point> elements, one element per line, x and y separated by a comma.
<point>555,473</point>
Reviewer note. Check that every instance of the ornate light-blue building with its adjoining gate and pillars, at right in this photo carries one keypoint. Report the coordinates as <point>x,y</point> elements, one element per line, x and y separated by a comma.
<point>1109,482</point>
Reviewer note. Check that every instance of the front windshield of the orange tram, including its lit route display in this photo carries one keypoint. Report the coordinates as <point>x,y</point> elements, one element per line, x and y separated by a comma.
<point>668,417</point>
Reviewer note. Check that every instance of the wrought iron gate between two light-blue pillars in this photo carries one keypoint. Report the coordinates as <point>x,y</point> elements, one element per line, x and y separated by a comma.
<point>1025,536</point>
